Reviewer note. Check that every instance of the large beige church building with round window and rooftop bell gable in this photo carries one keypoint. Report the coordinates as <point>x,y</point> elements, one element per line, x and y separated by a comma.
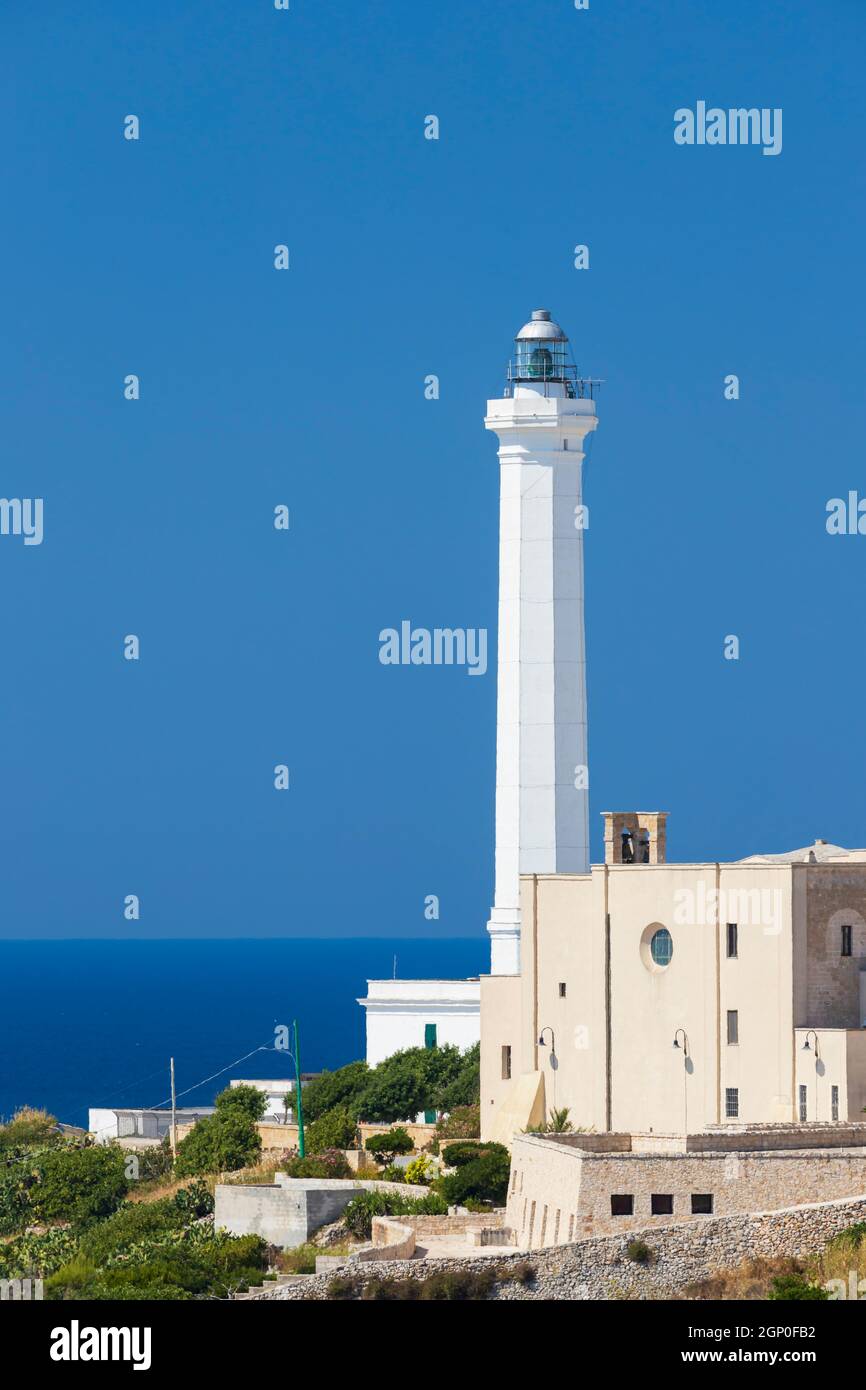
<point>667,999</point>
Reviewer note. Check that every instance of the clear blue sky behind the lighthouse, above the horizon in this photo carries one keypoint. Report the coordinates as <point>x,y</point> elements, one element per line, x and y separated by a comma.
<point>411,256</point>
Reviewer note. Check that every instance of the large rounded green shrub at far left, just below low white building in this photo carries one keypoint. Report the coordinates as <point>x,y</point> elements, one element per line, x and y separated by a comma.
<point>79,1185</point>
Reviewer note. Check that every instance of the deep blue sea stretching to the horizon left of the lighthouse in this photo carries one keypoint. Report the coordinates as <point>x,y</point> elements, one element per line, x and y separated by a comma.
<point>91,1024</point>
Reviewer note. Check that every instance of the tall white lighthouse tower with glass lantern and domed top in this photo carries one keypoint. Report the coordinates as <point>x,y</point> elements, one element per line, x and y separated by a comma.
<point>543,800</point>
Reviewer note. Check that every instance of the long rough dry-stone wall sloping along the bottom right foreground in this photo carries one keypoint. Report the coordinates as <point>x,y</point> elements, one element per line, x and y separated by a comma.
<point>601,1270</point>
